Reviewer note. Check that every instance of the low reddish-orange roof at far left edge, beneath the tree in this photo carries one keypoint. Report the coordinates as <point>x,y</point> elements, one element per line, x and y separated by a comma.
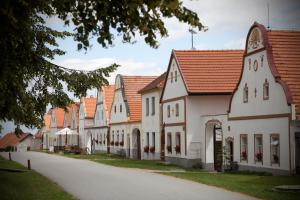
<point>11,139</point>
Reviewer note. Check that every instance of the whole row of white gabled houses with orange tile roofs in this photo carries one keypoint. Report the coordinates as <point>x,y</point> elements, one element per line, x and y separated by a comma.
<point>242,106</point>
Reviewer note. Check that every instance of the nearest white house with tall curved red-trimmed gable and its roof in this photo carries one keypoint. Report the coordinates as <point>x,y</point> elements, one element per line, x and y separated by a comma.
<point>264,114</point>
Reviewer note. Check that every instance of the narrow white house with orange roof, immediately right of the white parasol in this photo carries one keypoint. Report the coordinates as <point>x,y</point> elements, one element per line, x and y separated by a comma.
<point>86,122</point>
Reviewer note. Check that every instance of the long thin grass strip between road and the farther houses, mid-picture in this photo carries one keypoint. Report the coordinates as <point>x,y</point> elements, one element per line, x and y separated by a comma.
<point>118,161</point>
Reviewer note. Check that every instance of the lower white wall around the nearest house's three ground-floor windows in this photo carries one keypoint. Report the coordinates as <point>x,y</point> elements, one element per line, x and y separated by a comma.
<point>265,127</point>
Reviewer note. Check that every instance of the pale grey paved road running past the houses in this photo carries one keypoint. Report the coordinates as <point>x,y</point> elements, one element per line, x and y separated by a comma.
<point>89,180</point>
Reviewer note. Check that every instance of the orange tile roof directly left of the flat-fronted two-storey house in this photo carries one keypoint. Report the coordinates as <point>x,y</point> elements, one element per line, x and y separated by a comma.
<point>132,84</point>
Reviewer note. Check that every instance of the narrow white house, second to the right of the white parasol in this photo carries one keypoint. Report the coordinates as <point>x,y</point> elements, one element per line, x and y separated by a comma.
<point>102,118</point>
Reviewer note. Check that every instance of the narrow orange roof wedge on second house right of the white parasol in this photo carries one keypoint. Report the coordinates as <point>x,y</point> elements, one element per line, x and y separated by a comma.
<point>108,94</point>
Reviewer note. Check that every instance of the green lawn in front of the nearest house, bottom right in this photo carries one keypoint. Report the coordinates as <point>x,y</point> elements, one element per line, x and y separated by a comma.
<point>253,185</point>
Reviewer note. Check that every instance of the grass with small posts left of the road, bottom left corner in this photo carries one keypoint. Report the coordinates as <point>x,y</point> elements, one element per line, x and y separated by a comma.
<point>27,185</point>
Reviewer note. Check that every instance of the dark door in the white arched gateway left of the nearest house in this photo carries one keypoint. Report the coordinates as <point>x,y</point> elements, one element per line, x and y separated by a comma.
<point>218,149</point>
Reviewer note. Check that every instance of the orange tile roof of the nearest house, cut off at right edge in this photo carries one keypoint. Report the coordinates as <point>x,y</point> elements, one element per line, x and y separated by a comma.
<point>285,47</point>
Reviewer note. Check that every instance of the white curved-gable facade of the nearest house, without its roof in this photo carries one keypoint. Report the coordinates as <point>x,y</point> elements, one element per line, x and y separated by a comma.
<point>260,113</point>
